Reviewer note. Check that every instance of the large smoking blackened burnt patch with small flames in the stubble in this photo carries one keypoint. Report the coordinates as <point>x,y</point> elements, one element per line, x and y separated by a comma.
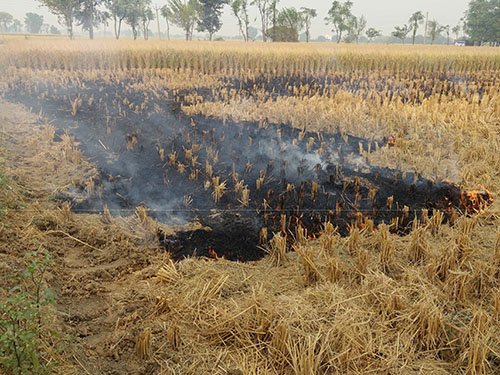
<point>235,178</point>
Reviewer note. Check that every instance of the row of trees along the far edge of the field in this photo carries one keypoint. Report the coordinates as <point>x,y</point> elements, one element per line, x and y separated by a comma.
<point>481,22</point>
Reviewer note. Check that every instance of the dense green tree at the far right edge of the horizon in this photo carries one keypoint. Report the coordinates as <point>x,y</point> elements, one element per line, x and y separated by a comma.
<point>482,20</point>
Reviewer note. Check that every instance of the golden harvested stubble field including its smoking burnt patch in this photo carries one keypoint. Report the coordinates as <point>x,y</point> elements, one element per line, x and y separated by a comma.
<point>250,208</point>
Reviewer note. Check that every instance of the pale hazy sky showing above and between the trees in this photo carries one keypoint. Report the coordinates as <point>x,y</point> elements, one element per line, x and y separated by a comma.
<point>381,14</point>
